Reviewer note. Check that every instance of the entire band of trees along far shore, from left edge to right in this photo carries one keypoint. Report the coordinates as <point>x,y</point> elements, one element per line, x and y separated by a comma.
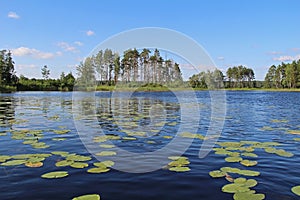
<point>144,69</point>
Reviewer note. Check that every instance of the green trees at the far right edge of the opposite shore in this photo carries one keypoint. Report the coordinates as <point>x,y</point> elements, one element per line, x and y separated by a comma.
<point>285,75</point>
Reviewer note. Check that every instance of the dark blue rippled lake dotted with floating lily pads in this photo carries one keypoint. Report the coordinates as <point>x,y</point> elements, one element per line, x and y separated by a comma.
<point>96,126</point>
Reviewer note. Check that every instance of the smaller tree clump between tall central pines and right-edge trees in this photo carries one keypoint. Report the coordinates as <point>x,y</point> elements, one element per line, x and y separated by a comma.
<point>236,77</point>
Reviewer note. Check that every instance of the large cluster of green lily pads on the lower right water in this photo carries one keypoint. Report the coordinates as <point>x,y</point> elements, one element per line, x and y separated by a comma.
<point>240,152</point>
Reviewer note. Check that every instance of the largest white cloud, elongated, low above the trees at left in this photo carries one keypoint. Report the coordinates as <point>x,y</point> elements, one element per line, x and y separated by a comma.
<point>25,51</point>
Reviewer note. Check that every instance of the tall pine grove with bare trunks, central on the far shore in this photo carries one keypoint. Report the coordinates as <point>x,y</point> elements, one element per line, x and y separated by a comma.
<point>108,68</point>
